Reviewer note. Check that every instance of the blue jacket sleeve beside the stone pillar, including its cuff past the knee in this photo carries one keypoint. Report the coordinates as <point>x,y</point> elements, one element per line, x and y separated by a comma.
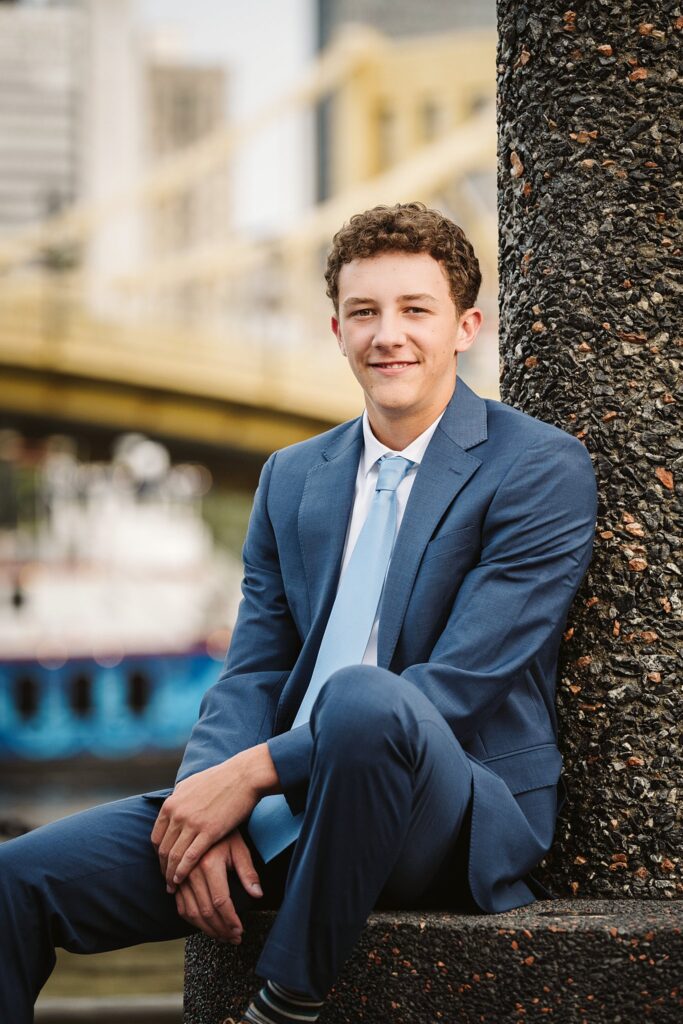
<point>537,540</point>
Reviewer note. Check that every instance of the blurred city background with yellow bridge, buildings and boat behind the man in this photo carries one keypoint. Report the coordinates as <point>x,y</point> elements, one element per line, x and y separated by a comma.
<point>172,176</point>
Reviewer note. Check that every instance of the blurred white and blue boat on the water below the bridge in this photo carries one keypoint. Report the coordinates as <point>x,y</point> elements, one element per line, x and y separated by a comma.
<point>115,602</point>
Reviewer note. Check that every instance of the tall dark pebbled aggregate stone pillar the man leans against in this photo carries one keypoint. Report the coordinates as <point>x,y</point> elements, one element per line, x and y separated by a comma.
<point>590,104</point>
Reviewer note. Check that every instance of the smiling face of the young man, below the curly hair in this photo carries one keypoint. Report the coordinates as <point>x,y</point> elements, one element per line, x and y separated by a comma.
<point>400,329</point>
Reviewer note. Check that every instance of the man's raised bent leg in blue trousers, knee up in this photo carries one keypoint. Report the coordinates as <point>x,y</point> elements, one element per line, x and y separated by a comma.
<point>390,790</point>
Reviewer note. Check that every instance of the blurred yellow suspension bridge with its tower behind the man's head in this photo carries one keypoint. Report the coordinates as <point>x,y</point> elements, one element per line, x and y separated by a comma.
<point>227,340</point>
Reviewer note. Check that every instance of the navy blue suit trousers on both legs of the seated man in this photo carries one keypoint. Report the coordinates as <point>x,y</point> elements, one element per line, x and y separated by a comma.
<point>386,826</point>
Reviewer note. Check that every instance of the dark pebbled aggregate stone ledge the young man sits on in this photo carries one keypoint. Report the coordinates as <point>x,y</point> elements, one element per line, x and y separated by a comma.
<point>573,962</point>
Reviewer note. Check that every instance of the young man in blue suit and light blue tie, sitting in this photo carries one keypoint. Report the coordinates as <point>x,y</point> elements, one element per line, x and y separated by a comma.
<point>383,732</point>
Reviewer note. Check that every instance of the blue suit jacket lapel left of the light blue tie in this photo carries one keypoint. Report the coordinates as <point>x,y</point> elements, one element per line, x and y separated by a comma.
<point>324,517</point>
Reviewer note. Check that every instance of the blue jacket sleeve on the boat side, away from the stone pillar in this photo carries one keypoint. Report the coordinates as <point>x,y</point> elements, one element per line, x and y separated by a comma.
<point>239,710</point>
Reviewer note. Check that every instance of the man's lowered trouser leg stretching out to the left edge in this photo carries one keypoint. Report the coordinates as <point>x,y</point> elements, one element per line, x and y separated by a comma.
<point>89,883</point>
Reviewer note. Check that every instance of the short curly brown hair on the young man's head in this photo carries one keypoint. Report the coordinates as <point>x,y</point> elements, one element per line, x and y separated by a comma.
<point>409,228</point>
